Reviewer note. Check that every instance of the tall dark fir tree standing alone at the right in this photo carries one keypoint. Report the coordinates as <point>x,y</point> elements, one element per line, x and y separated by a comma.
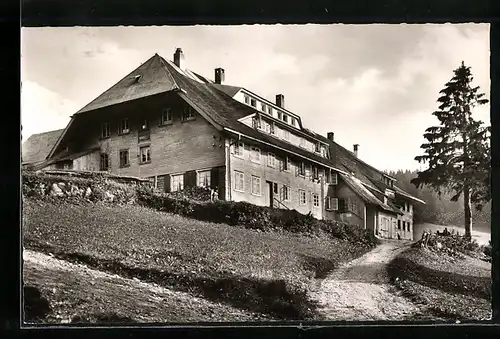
<point>457,151</point>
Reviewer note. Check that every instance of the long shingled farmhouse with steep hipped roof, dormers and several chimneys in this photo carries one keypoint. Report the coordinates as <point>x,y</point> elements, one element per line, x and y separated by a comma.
<point>165,122</point>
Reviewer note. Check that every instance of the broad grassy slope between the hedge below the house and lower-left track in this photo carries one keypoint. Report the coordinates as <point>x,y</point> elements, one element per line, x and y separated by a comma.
<point>263,272</point>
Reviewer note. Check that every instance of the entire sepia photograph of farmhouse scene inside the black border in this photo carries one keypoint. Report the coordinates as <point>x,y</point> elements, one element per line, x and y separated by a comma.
<point>256,173</point>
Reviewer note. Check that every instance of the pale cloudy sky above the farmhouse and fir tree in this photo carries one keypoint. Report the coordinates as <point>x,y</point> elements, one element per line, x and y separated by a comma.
<point>372,85</point>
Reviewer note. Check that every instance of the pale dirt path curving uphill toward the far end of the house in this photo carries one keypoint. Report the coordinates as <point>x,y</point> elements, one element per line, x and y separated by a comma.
<point>360,289</point>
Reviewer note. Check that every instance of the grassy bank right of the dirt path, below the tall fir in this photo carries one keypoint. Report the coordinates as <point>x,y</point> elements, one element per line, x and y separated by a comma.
<point>451,288</point>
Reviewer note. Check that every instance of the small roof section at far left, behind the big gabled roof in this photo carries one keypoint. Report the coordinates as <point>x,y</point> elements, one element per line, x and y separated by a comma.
<point>38,146</point>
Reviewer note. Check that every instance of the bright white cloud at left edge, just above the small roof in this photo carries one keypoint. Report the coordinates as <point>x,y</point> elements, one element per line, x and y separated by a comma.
<point>43,110</point>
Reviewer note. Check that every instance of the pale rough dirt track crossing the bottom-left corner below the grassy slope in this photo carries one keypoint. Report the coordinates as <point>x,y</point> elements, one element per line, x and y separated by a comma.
<point>77,290</point>
